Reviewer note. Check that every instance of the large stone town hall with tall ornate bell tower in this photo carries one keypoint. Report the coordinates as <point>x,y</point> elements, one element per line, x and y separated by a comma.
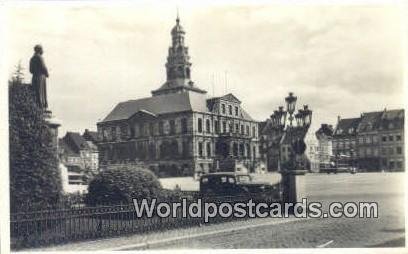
<point>179,130</point>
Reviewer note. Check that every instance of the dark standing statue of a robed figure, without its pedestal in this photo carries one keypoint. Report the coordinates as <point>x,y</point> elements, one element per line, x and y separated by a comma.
<point>40,74</point>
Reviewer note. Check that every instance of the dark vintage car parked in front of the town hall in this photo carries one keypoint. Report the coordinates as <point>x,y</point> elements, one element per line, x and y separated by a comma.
<point>236,184</point>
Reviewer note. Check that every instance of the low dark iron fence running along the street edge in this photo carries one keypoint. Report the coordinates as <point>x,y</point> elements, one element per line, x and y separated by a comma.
<point>30,229</point>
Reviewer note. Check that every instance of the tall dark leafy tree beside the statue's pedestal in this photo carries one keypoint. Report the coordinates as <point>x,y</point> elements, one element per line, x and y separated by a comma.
<point>34,174</point>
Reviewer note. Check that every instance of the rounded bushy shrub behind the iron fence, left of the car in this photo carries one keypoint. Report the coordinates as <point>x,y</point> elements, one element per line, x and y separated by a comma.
<point>113,186</point>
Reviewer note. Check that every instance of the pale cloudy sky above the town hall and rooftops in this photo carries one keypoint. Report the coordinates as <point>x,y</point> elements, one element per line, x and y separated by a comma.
<point>340,60</point>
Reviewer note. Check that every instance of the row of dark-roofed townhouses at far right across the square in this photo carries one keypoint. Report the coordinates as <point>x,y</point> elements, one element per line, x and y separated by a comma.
<point>374,141</point>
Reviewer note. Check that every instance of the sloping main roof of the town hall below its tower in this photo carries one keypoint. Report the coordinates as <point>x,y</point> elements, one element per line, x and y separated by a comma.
<point>161,104</point>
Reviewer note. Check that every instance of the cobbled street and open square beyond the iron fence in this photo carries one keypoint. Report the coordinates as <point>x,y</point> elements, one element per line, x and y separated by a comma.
<point>386,231</point>
